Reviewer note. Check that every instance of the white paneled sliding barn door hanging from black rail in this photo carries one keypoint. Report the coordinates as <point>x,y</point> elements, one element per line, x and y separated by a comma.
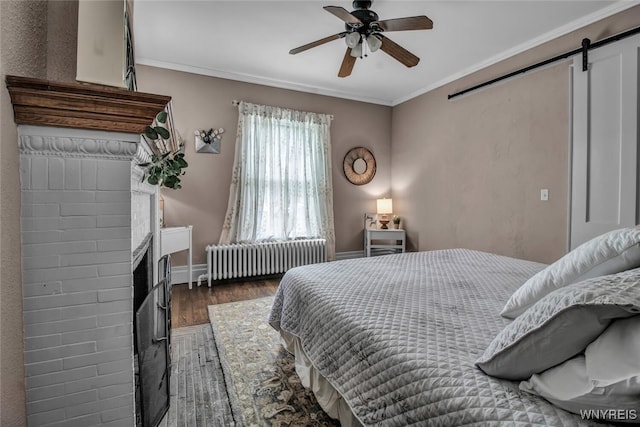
<point>604,193</point>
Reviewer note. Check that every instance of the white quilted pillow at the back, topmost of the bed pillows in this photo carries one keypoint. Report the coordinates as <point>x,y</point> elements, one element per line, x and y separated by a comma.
<point>609,253</point>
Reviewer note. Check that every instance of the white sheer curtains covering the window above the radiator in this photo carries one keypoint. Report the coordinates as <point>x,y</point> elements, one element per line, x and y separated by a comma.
<point>281,185</point>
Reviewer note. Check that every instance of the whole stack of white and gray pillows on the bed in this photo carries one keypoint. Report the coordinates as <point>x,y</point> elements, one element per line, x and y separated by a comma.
<point>575,339</point>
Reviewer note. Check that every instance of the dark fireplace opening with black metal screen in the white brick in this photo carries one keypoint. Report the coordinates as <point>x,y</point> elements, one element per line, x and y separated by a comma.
<point>151,324</point>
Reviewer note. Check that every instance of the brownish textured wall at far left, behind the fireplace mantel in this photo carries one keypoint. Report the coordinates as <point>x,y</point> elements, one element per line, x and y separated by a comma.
<point>37,39</point>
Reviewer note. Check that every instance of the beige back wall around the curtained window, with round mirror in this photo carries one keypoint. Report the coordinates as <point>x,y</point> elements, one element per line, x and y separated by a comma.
<point>205,102</point>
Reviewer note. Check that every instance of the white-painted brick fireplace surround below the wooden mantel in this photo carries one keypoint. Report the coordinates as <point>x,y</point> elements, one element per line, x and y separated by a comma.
<point>77,277</point>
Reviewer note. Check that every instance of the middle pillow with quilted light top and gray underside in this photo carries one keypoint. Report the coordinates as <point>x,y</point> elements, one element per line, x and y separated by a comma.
<point>561,325</point>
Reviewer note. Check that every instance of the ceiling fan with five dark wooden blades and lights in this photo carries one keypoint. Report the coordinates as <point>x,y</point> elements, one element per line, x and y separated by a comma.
<point>363,31</point>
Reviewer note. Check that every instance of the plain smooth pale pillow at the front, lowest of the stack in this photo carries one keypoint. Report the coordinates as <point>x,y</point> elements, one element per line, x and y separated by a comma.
<point>612,357</point>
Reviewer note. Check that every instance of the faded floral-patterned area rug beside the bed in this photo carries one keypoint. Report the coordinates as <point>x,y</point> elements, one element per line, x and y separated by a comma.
<point>259,373</point>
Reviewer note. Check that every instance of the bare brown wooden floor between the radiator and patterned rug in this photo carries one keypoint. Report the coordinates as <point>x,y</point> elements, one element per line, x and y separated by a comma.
<point>189,306</point>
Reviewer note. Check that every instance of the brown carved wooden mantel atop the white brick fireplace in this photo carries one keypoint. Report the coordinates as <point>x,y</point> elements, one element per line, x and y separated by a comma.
<point>82,106</point>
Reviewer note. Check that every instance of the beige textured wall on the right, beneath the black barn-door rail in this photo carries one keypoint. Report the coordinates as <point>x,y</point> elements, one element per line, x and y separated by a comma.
<point>467,172</point>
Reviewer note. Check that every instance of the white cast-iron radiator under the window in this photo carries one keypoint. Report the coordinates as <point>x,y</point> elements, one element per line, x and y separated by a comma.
<point>264,258</point>
